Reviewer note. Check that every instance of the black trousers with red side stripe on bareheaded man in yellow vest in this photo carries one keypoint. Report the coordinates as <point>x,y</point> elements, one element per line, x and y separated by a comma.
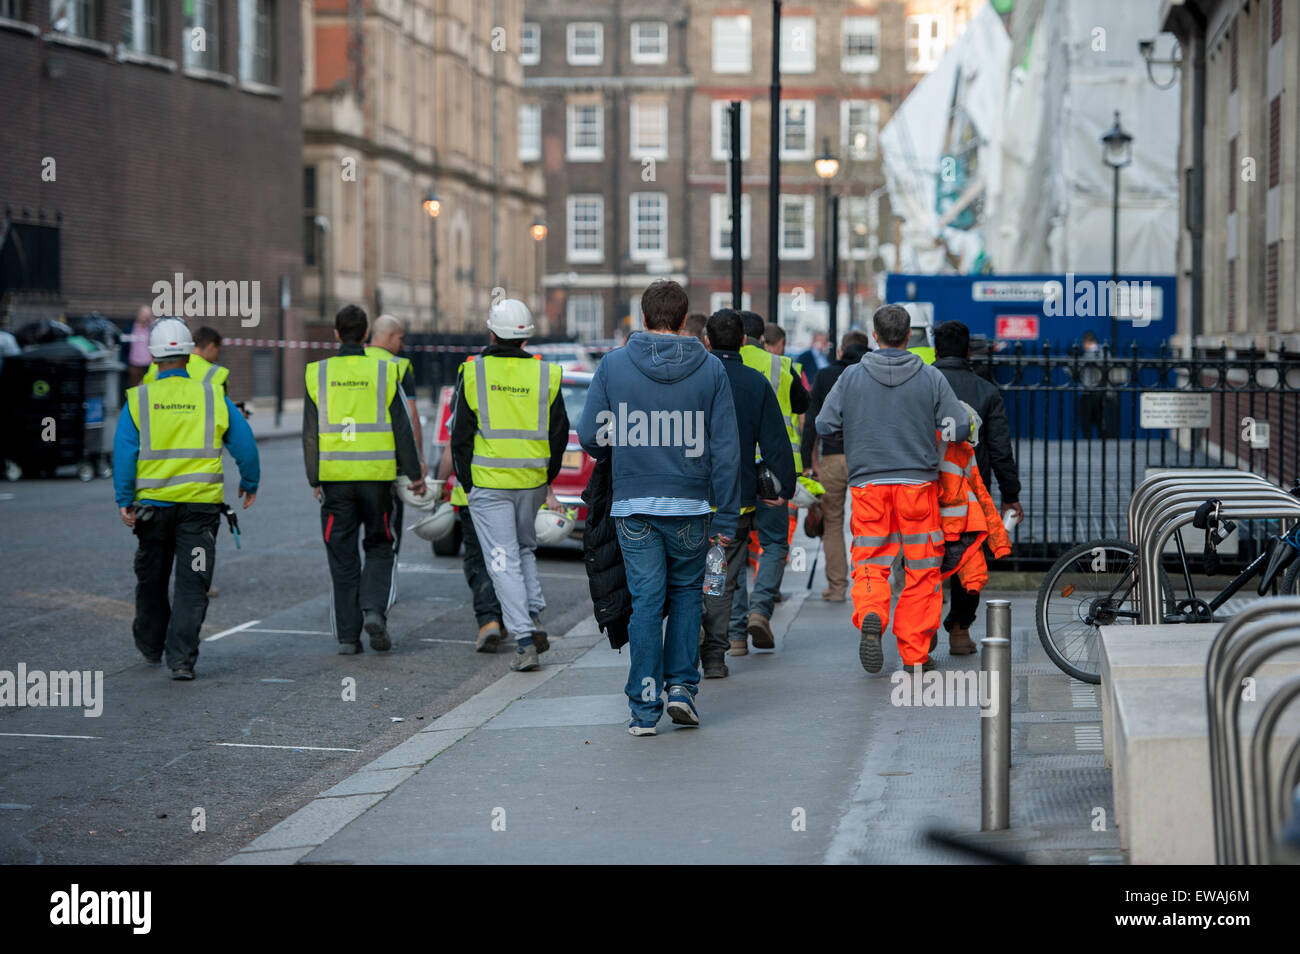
<point>349,510</point>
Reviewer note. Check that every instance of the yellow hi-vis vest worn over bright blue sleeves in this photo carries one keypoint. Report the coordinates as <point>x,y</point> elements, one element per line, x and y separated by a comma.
<point>181,424</point>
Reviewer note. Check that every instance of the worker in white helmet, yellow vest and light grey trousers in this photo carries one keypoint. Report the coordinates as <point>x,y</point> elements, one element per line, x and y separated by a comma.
<point>509,437</point>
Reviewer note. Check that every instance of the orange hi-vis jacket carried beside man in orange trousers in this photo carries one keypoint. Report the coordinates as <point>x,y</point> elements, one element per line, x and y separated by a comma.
<point>968,515</point>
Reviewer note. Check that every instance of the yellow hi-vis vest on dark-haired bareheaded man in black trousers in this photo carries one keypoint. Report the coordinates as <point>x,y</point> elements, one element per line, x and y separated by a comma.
<point>353,394</point>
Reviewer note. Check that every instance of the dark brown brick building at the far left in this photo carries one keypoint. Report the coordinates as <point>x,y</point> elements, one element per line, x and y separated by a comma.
<point>159,137</point>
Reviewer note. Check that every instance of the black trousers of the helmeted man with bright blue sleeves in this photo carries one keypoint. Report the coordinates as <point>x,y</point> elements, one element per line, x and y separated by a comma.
<point>184,535</point>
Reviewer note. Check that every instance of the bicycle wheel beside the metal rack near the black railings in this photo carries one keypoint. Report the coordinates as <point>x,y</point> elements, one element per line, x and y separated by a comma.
<point>1093,586</point>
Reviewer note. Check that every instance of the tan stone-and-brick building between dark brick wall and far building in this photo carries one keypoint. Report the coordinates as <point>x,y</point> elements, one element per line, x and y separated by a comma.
<point>405,98</point>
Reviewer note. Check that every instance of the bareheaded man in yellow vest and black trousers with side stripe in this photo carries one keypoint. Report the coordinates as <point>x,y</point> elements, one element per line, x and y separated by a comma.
<point>357,439</point>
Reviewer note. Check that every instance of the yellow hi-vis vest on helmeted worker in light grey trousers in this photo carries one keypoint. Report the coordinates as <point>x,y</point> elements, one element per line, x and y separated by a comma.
<point>512,400</point>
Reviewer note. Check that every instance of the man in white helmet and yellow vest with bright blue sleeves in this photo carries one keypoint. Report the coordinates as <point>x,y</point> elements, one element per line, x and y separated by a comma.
<point>167,475</point>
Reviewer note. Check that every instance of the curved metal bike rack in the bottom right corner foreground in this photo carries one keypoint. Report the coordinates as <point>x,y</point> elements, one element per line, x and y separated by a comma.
<point>1236,654</point>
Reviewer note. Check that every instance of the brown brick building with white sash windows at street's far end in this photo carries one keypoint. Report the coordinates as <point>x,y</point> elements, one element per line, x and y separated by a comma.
<point>627,116</point>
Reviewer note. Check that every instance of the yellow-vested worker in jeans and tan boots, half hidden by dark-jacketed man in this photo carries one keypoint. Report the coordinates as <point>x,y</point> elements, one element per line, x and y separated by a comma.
<point>752,617</point>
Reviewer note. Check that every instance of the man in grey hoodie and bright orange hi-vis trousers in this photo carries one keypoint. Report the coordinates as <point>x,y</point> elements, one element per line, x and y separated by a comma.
<point>892,410</point>
